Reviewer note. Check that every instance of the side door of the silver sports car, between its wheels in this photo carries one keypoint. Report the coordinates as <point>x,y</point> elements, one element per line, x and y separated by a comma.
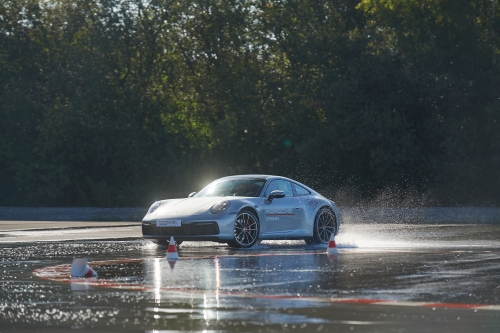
<point>283,214</point>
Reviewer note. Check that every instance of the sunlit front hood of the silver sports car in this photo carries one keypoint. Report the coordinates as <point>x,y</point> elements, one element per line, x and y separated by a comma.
<point>187,206</point>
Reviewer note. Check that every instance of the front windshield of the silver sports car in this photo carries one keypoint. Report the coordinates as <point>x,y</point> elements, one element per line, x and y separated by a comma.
<point>233,187</point>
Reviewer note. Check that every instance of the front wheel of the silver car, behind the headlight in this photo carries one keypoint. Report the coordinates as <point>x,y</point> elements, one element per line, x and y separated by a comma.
<point>246,230</point>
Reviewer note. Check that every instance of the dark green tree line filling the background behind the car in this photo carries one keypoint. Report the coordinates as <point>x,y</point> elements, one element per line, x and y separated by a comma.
<point>121,102</point>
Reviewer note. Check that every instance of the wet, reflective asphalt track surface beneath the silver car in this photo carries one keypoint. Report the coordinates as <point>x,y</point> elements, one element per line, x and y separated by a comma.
<point>386,278</point>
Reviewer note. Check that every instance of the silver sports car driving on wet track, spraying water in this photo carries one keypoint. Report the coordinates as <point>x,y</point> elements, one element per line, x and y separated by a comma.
<point>240,210</point>
